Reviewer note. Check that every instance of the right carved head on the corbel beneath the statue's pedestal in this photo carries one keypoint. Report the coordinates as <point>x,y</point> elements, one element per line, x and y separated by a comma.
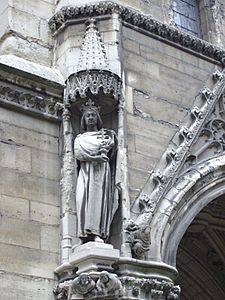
<point>108,283</point>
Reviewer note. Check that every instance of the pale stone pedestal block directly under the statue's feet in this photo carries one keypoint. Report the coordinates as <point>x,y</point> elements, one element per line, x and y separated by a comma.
<point>94,257</point>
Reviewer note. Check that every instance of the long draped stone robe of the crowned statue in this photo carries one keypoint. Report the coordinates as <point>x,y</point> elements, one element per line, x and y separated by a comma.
<point>94,193</point>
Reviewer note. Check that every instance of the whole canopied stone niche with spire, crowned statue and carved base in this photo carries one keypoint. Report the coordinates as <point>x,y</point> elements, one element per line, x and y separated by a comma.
<point>103,251</point>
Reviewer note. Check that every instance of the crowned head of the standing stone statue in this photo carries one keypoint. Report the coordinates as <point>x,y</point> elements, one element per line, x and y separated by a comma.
<point>90,116</point>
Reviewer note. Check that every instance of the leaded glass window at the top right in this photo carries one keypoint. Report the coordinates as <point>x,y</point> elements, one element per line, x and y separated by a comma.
<point>186,16</point>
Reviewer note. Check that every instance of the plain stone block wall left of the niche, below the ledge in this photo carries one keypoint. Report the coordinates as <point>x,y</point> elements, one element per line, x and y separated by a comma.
<point>29,206</point>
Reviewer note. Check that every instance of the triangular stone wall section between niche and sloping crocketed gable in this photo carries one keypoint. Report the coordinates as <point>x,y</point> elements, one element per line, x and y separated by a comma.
<point>161,82</point>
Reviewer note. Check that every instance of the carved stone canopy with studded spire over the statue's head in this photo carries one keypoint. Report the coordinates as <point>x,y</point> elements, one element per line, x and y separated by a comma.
<point>93,75</point>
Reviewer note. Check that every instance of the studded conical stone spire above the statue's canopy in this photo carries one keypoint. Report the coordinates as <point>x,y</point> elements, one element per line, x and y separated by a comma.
<point>92,51</point>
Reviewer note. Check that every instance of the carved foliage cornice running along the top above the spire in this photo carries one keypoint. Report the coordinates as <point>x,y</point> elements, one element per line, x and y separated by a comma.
<point>141,21</point>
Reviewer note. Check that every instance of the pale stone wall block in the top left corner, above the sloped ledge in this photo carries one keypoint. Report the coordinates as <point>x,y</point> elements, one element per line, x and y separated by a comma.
<point>24,29</point>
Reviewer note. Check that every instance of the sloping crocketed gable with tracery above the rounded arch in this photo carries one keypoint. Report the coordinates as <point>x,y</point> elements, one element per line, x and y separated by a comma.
<point>205,119</point>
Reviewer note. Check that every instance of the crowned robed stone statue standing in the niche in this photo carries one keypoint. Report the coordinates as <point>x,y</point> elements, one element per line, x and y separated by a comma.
<point>95,150</point>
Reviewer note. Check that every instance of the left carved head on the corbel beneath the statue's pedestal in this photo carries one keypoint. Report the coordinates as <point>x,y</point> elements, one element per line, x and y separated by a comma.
<point>82,284</point>
